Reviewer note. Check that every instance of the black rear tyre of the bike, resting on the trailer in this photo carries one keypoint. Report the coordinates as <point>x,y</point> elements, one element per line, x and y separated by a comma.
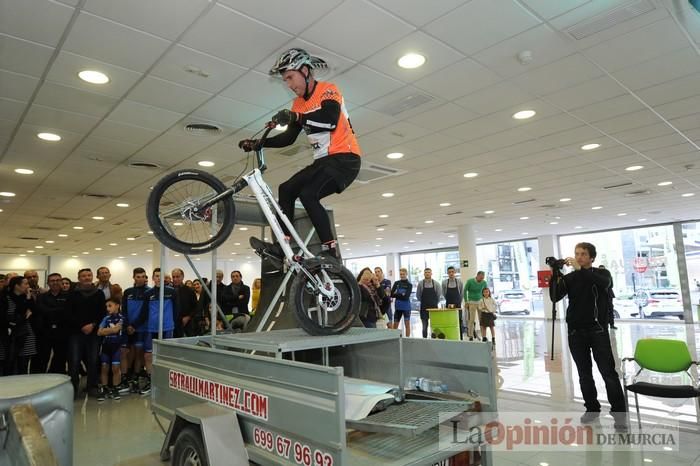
<point>347,291</point>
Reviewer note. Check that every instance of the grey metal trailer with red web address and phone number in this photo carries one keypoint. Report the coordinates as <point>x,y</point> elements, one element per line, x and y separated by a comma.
<point>277,398</point>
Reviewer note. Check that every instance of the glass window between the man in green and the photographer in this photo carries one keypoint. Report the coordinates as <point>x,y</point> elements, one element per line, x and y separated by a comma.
<point>511,272</point>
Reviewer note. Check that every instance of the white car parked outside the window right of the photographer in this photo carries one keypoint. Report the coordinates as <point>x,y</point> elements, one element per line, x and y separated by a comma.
<point>661,302</point>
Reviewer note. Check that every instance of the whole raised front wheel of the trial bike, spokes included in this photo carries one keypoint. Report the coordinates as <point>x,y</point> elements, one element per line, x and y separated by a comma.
<point>178,215</point>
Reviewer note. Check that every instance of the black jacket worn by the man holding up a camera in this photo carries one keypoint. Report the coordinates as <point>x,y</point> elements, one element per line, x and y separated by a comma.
<point>588,296</point>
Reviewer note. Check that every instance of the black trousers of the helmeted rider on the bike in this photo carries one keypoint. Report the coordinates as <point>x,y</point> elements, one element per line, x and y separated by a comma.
<point>327,175</point>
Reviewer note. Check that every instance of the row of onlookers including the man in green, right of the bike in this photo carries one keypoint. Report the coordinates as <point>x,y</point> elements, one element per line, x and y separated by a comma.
<point>473,301</point>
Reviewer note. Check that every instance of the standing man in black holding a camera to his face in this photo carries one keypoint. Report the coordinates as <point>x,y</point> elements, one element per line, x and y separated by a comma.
<point>587,322</point>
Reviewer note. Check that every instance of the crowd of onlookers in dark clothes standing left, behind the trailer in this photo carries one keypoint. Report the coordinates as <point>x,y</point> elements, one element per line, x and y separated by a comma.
<point>96,329</point>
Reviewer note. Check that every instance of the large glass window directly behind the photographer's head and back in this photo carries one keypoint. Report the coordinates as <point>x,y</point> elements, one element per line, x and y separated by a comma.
<point>644,268</point>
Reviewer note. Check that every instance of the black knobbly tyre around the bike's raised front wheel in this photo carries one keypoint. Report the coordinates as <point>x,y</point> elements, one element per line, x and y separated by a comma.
<point>163,228</point>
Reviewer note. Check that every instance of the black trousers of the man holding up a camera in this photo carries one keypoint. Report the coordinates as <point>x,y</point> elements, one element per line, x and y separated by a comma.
<point>582,344</point>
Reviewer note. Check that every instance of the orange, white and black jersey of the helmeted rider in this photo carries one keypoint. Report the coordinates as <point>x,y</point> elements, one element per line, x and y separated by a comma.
<point>340,140</point>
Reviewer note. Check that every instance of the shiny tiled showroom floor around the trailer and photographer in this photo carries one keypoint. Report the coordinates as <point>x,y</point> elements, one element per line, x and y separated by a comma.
<point>125,433</point>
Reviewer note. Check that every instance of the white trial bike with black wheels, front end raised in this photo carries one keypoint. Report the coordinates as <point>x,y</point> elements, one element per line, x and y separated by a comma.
<point>193,212</point>
